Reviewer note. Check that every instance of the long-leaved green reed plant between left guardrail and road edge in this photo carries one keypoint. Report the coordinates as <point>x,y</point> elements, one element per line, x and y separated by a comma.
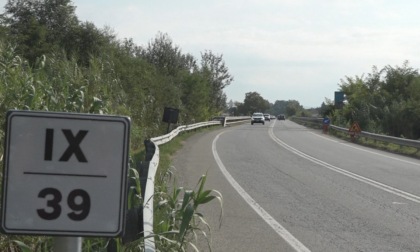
<point>181,223</point>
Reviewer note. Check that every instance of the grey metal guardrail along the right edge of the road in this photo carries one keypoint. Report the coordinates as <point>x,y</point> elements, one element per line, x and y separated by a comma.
<point>377,137</point>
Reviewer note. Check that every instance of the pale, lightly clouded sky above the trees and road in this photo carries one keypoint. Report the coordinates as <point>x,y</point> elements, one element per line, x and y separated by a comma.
<point>282,49</point>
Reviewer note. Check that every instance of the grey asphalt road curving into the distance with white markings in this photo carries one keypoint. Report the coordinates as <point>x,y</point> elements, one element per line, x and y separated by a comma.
<point>289,188</point>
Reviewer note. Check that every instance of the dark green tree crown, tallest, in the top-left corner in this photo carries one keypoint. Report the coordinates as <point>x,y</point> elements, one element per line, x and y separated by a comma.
<point>39,26</point>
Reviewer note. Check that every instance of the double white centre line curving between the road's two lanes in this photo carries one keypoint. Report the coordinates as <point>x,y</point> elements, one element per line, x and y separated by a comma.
<point>355,176</point>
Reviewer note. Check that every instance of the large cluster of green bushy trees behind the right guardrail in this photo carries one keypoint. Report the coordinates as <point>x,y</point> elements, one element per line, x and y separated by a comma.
<point>385,101</point>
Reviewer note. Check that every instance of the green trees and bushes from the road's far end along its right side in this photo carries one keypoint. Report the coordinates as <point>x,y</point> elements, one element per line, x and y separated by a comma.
<point>386,101</point>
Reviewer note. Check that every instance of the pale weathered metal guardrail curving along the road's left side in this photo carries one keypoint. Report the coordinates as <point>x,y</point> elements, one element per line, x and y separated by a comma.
<point>149,242</point>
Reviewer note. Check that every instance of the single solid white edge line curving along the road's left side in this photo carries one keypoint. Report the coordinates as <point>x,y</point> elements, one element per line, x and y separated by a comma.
<point>278,228</point>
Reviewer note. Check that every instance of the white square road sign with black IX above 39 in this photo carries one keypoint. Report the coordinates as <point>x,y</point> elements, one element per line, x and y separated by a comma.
<point>65,174</point>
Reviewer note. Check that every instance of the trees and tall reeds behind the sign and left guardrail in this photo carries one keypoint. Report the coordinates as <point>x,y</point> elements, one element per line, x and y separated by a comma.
<point>50,60</point>
